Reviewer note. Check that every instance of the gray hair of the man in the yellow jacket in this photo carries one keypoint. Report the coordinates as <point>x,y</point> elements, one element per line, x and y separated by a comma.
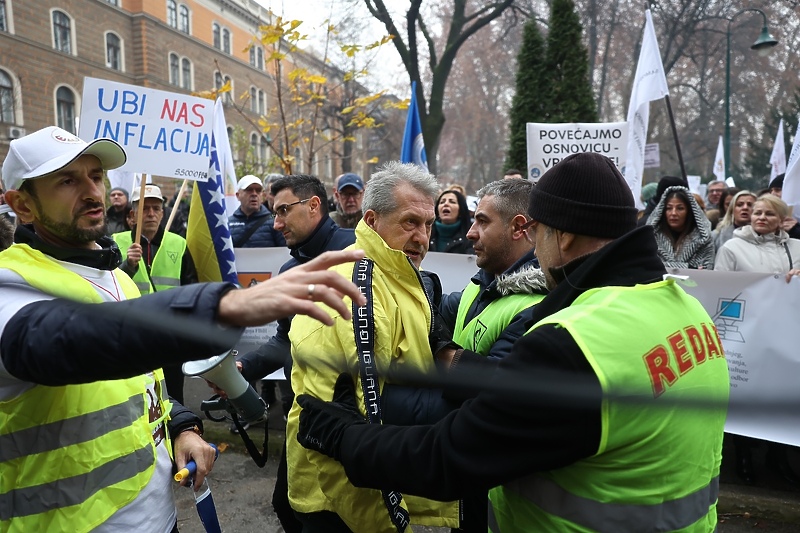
<point>379,192</point>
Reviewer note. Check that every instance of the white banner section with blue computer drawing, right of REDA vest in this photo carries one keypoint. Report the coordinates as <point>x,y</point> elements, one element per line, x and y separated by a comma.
<point>756,317</point>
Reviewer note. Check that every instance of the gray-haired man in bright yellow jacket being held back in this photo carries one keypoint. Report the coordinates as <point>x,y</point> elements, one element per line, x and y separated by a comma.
<point>394,234</point>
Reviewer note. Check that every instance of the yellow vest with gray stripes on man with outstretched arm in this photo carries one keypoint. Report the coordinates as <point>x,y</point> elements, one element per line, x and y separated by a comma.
<point>71,456</point>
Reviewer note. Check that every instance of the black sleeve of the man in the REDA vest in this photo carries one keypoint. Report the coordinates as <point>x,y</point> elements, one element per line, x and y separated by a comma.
<point>510,430</point>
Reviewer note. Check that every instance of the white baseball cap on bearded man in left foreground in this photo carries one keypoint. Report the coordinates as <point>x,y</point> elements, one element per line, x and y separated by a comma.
<point>51,149</point>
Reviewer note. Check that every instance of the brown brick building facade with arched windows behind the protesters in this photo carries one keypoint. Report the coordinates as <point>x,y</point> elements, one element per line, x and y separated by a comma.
<point>47,47</point>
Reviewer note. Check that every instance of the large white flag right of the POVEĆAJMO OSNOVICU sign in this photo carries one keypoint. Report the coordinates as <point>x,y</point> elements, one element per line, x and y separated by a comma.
<point>649,84</point>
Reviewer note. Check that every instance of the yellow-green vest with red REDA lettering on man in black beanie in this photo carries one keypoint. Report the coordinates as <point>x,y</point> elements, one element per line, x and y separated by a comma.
<point>653,471</point>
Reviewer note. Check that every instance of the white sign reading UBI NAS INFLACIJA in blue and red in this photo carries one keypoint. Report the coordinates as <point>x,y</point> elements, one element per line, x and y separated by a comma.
<point>163,133</point>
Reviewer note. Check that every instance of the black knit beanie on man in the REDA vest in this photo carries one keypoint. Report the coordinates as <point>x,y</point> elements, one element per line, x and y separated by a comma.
<point>584,194</point>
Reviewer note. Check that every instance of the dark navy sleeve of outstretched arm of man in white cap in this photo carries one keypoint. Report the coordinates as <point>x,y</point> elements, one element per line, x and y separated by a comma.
<point>60,342</point>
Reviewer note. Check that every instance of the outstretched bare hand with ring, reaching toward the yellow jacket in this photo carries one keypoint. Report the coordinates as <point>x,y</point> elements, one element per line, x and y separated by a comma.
<point>294,292</point>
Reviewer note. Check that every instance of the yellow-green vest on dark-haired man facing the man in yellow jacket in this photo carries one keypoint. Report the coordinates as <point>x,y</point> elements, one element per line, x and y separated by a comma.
<point>480,333</point>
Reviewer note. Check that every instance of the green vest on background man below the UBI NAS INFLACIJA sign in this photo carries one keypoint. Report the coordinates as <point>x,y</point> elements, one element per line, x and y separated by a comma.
<point>165,271</point>
